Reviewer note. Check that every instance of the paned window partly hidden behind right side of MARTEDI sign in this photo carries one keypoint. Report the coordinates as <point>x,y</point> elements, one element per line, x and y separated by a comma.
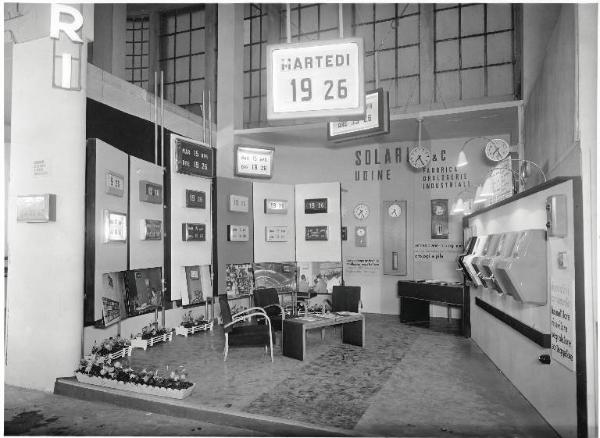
<point>392,30</point>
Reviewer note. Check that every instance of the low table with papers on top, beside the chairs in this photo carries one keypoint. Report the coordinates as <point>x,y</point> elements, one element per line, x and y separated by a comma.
<point>294,331</point>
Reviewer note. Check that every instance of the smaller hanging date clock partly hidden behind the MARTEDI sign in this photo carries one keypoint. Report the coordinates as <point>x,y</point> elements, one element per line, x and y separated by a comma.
<point>376,121</point>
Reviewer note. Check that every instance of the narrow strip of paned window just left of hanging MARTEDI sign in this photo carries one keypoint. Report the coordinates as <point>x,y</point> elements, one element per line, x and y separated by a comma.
<point>255,76</point>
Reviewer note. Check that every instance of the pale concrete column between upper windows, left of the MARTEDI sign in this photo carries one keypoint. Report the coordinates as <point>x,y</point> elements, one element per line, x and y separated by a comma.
<point>229,83</point>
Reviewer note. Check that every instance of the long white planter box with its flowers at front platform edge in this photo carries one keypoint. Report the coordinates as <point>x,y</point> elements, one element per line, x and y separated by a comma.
<point>99,370</point>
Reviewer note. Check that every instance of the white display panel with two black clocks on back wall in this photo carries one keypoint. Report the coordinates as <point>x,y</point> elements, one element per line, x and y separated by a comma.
<point>321,197</point>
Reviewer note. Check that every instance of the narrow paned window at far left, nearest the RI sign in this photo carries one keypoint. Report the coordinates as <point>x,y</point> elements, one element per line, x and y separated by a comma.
<point>136,66</point>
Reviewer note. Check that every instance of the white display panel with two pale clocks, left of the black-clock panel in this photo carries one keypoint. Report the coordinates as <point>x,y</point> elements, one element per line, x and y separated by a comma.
<point>274,239</point>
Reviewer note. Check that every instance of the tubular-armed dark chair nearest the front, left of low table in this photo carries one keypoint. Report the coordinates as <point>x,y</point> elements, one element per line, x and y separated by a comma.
<point>247,334</point>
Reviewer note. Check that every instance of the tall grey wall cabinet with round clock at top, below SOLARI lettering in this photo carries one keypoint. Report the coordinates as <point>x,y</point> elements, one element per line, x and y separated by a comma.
<point>394,214</point>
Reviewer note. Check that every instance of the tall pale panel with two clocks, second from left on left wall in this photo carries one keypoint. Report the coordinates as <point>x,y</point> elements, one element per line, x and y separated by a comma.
<point>146,244</point>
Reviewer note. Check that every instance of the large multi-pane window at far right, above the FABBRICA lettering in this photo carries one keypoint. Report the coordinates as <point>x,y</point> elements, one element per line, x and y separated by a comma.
<point>474,51</point>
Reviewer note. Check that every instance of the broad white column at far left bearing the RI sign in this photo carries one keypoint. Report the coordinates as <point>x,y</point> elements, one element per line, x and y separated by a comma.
<point>45,270</point>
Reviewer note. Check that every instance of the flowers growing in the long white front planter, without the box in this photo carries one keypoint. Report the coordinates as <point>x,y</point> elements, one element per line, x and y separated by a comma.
<point>120,371</point>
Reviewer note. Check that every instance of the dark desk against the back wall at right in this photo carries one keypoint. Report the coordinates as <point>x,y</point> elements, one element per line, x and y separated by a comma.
<point>415,297</point>
